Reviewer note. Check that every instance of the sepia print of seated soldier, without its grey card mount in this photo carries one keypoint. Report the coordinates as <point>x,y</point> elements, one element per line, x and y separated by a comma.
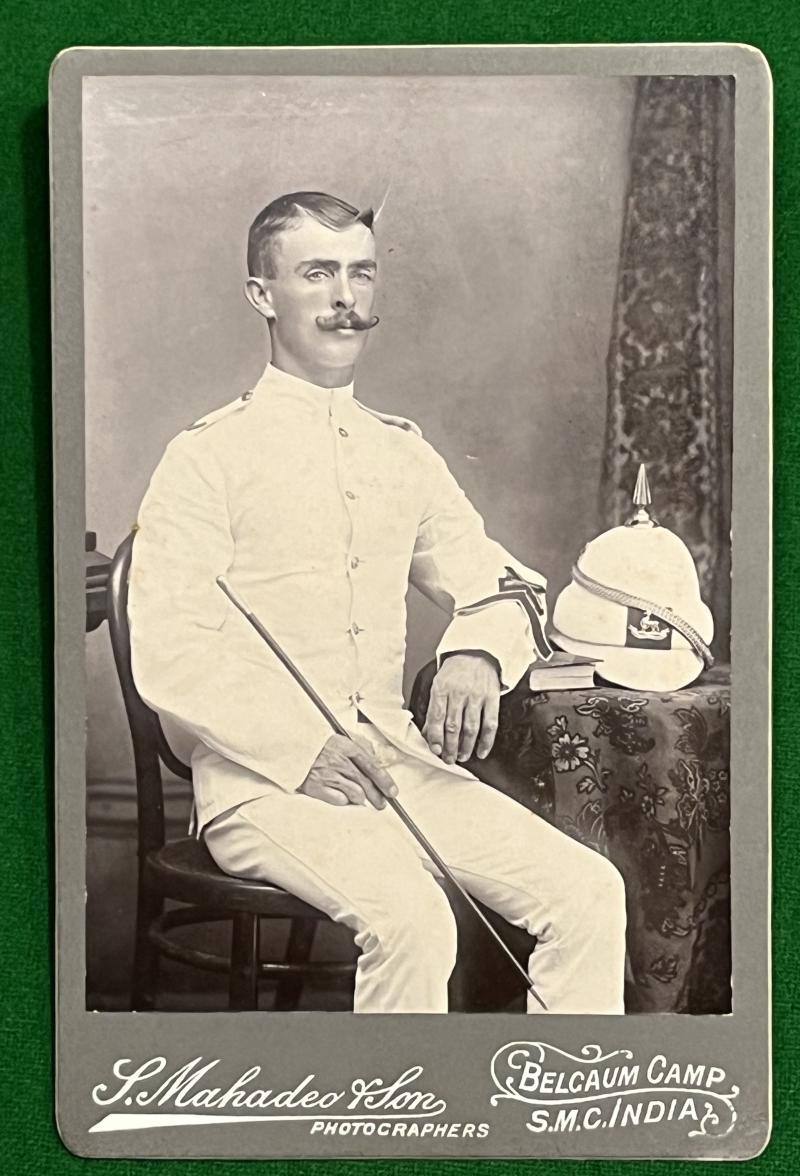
<point>409,410</point>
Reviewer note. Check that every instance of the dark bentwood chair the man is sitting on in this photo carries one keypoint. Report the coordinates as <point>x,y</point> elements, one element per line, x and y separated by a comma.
<point>184,872</point>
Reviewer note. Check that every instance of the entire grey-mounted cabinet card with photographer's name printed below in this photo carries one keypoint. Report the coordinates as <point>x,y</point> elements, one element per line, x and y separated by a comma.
<point>412,418</point>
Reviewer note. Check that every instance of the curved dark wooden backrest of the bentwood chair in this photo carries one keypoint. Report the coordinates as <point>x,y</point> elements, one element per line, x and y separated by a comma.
<point>150,744</point>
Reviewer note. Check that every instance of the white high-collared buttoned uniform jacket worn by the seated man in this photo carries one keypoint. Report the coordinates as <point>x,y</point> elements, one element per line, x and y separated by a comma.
<point>319,512</point>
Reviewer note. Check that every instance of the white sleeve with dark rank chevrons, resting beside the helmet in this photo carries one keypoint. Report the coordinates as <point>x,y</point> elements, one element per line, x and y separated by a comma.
<point>498,604</point>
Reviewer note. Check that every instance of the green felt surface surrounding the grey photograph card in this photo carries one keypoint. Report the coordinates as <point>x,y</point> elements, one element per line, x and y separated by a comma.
<point>31,35</point>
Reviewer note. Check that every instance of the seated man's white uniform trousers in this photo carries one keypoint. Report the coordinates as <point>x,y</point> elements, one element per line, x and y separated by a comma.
<point>364,870</point>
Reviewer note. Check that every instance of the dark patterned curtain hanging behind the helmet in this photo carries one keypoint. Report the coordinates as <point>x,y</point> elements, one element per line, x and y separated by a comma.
<point>670,358</point>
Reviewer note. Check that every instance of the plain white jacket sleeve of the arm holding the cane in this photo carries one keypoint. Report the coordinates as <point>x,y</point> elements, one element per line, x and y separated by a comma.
<point>184,664</point>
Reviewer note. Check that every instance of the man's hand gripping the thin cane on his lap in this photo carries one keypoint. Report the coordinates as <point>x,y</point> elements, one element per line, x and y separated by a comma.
<point>348,773</point>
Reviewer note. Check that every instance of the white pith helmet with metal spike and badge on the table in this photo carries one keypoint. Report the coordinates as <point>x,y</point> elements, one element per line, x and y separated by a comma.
<point>635,605</point>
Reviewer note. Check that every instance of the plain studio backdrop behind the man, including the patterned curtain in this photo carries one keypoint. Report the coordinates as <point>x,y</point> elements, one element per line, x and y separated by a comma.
<point>555,300</point>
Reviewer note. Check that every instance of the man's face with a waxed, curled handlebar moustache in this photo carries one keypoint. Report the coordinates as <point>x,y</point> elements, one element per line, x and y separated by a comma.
<point>322,276</point>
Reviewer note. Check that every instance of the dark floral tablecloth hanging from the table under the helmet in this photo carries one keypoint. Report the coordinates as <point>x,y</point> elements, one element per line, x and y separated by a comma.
<point>645,780</point>
